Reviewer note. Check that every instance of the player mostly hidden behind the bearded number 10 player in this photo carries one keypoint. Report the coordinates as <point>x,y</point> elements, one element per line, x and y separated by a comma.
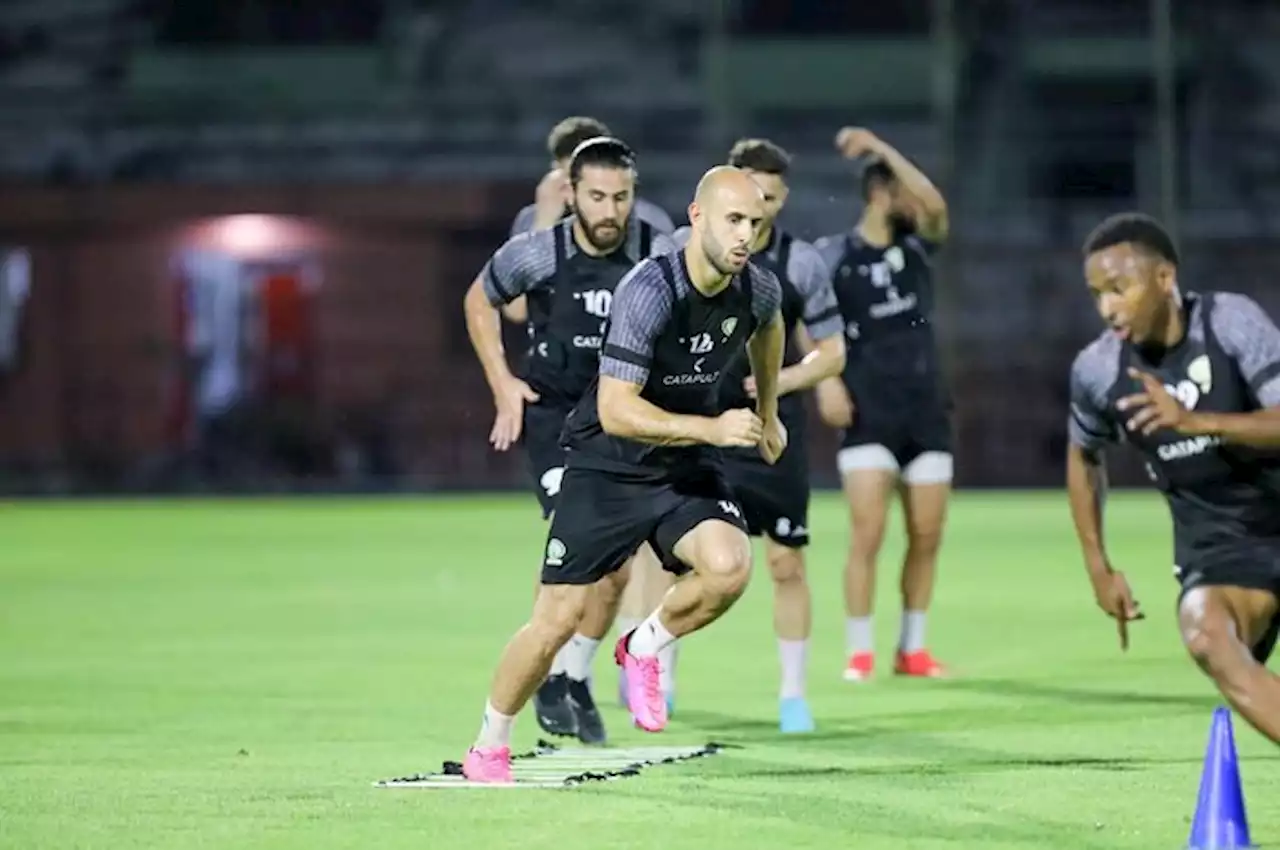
<point>552,203</point>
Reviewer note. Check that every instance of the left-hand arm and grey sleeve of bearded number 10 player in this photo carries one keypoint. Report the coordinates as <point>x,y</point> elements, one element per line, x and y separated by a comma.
<point>520,266</point>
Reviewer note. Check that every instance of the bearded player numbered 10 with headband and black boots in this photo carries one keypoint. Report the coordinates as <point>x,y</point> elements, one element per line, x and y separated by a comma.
<point>568,275</point>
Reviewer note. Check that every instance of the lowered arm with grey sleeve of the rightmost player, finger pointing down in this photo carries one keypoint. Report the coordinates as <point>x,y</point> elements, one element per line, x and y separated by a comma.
<point>1090,431</point>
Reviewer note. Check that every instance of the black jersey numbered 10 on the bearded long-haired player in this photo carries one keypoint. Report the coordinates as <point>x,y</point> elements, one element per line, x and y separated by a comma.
<point>569,294</point>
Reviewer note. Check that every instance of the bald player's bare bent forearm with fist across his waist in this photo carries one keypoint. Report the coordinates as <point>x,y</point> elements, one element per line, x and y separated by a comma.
<point>625,414</point>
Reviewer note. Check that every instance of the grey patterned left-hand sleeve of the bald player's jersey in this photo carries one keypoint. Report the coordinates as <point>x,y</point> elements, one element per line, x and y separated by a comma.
<point>642,308</point>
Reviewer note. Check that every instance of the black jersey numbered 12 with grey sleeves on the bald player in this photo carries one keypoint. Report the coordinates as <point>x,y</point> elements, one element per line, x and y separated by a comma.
<point>676,344</point>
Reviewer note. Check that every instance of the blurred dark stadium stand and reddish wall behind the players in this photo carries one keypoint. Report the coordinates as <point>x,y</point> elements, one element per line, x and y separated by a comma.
<point>236,234</point>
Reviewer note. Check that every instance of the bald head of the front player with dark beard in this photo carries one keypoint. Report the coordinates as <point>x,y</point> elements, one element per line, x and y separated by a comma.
<point>726,217</point>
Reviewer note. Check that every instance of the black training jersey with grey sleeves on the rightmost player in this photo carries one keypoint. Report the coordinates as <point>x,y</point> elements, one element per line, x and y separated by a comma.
<point>1228,362</point>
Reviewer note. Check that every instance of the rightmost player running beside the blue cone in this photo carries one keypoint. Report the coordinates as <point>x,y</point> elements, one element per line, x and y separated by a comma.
<point>1192,383</point>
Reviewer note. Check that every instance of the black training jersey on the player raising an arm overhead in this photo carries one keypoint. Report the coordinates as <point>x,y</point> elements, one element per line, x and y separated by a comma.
<point>886,299</point>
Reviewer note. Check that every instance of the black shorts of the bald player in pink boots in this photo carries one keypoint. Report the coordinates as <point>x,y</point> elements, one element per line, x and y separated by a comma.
<point>604,518</point>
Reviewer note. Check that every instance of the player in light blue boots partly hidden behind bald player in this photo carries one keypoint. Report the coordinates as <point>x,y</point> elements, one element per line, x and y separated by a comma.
<point>775,499</point>
